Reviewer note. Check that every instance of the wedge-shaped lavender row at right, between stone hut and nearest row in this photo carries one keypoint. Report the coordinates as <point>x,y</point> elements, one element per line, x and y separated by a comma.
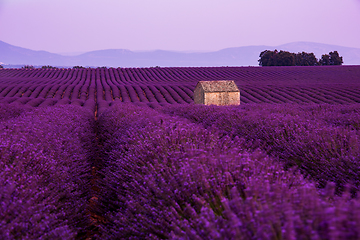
<point>322,140</point>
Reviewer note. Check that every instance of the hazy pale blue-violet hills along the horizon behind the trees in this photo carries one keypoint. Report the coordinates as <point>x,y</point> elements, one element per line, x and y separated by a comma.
<point>237,56</point>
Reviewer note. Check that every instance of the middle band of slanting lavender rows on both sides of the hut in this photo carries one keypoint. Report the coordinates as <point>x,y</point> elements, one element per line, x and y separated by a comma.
<point>100,91</point>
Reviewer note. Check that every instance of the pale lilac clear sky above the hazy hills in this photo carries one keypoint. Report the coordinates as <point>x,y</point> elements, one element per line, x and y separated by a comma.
<point>68,26</point>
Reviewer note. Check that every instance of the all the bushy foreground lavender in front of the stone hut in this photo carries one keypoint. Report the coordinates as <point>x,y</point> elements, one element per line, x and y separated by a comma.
<point>179,172</point>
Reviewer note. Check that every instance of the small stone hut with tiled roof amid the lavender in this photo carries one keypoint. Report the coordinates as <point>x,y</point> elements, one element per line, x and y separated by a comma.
<point>217,93</point>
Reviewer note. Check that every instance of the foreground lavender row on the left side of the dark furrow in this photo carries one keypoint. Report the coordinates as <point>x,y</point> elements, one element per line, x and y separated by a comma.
<point>45,171</point>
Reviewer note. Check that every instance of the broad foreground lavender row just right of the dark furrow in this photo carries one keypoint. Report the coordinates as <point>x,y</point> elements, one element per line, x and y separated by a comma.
<point>167,178</point>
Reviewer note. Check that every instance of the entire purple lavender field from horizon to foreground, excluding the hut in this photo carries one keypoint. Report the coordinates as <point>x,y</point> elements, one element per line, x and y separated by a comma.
<point>125,154</point>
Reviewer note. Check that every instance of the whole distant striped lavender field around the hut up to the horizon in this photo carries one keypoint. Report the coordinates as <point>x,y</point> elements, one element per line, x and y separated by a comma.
<point>100,87</point>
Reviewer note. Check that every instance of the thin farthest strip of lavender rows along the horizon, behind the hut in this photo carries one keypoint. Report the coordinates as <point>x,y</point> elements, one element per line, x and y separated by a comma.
<point>308,75</point>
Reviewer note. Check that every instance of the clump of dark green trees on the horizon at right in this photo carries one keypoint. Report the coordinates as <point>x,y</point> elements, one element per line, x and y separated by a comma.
<point>284,58</point>
